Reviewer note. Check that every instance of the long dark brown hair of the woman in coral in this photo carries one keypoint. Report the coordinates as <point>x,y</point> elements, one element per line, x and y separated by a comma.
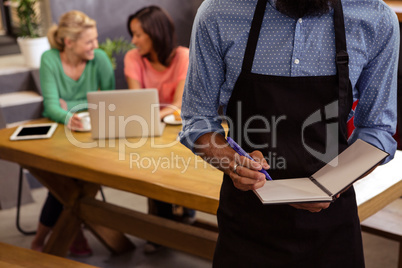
<point>157,23</point>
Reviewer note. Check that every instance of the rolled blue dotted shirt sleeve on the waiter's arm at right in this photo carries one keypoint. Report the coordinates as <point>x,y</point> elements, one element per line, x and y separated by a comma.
<point>376,89</point>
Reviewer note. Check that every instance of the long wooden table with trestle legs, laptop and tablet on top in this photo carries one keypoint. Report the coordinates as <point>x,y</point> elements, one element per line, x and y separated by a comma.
<point>73,167</point>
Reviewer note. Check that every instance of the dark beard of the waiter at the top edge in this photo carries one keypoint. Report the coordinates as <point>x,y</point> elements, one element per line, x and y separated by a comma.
<point>304,8</point>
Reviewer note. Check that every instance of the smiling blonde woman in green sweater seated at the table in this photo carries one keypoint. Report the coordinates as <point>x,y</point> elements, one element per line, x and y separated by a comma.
<point>73,67</point>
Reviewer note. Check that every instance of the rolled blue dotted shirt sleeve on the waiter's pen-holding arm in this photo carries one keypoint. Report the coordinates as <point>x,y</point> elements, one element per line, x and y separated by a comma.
<point>205,76</point>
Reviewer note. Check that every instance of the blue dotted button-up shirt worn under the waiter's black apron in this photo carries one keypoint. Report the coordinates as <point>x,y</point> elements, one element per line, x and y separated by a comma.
<point>293,47</point>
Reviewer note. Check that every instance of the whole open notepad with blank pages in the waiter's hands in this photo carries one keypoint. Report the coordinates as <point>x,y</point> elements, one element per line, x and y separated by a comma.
<point>351,165</point>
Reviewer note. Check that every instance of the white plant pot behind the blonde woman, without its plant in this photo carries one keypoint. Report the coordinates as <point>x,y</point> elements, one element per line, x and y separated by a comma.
<point>32,49</point>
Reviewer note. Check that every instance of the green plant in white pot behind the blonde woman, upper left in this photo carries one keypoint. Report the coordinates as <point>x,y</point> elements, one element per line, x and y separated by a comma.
<point>31,42</point>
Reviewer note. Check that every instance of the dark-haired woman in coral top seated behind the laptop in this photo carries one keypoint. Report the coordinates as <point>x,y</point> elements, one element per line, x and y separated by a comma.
<point>157,62</point>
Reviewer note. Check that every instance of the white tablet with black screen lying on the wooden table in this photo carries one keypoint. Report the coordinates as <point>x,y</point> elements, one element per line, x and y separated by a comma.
<point>34,131</point>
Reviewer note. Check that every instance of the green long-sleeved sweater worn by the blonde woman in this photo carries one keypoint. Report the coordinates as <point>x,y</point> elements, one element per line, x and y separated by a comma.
<point>55,84</point>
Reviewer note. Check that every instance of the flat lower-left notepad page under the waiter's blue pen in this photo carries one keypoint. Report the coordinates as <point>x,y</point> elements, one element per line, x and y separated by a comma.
<point>291,191</point>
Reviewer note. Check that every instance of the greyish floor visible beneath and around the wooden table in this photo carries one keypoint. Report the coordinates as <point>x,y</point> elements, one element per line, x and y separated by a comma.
<point>379,252</point>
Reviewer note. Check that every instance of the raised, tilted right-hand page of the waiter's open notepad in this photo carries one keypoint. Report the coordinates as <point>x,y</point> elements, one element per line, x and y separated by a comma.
<point>352,163</point>
